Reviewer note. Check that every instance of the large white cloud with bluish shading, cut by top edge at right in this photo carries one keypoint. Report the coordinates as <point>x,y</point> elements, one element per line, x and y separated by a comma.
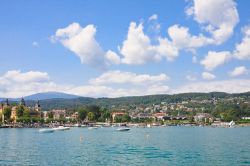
<point>218,17</point>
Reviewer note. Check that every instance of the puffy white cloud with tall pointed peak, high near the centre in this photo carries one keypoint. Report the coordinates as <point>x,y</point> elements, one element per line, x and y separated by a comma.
<point>137,48</point>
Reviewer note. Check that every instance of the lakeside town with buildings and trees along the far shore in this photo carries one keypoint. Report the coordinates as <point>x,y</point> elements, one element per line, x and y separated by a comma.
<point>186,113</point>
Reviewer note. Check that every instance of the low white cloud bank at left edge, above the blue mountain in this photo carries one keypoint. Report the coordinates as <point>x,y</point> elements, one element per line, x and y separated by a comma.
<point>15,83</point>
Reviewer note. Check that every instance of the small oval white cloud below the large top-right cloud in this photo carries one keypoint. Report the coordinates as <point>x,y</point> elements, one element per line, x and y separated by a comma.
<point>214,59</point>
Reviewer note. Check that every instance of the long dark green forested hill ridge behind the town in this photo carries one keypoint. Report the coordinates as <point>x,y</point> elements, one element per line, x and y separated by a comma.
<point>136,100</point>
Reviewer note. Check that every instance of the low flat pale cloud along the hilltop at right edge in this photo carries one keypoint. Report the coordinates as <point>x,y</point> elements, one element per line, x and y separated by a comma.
<point>229,86</point>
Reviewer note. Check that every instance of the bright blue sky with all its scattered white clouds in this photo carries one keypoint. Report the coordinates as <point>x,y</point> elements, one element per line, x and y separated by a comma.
<point>113,48</point>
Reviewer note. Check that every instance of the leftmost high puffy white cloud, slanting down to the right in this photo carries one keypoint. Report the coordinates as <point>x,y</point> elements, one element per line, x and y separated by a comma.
<point>81,41</point>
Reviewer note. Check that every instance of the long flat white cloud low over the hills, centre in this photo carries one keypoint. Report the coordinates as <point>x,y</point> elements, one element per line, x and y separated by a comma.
<point>118,83</point>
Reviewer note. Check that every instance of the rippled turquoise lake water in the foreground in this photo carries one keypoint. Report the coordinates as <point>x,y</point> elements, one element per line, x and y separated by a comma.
<point>139,146</point>
